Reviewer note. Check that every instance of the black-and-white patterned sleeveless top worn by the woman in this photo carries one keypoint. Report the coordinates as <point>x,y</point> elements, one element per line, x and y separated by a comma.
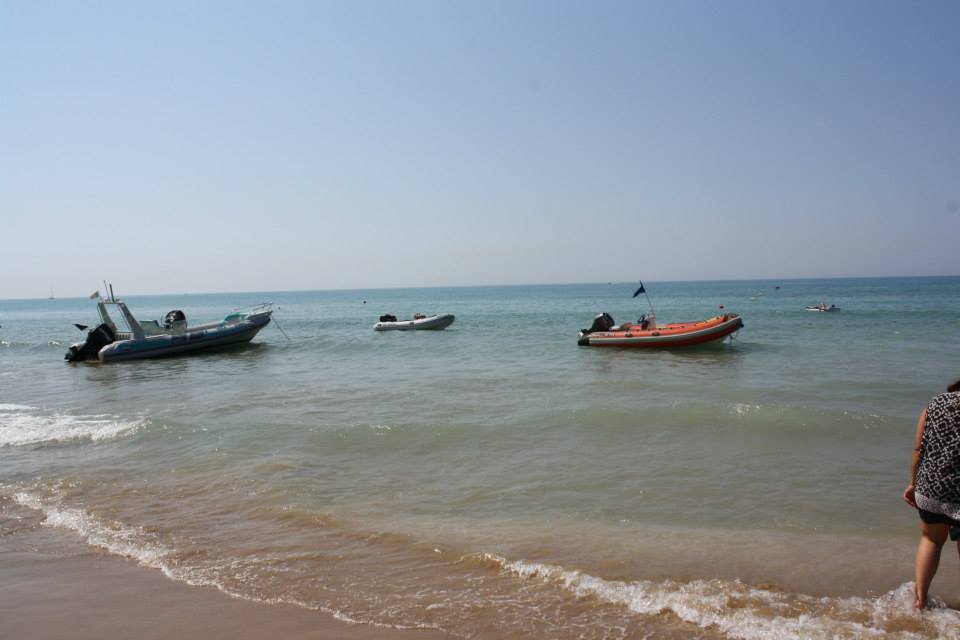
<point>938,476</point>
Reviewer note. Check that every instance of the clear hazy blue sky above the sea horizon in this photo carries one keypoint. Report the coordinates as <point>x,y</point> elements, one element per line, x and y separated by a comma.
<point>230,146</point>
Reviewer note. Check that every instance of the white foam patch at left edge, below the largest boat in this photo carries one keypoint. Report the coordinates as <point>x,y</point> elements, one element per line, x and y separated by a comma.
<point>23,425</point>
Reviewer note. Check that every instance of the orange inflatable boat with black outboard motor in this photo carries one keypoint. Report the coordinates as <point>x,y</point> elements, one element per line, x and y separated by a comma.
<point>647,333</point>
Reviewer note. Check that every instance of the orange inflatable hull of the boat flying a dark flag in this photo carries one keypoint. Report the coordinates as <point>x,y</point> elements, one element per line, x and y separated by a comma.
<point>684,334</point>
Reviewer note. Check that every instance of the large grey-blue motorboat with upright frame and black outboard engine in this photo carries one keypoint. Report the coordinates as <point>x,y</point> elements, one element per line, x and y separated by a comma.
<point>135,339</point>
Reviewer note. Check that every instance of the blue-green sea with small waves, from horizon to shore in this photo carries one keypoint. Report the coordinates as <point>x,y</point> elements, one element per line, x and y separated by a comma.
<point>495,479</point>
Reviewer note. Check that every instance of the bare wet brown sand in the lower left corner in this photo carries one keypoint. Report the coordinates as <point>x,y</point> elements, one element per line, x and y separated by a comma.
<point>89,595</point>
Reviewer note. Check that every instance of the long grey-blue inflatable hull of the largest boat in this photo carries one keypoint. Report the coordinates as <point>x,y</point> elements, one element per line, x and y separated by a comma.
<point>190,342</point>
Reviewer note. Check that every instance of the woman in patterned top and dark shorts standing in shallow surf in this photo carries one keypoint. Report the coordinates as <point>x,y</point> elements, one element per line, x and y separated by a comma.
<point>935,484</point>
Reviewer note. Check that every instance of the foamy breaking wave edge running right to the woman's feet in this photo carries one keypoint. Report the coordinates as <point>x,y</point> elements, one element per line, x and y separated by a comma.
<point>752,613</point>
